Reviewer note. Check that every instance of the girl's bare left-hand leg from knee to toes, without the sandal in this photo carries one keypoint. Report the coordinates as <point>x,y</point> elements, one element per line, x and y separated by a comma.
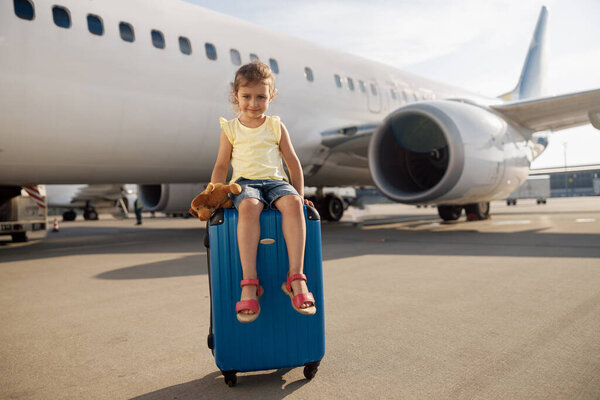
<point>248,232</point>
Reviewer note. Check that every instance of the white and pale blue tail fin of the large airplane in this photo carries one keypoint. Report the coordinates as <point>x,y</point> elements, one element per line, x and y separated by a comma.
<point>533,76</point>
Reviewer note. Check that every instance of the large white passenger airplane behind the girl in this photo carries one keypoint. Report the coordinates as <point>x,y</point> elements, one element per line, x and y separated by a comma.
<point>116,92</point>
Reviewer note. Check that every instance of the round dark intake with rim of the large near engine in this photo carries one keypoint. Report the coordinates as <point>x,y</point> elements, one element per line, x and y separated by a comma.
<point>416,154</point>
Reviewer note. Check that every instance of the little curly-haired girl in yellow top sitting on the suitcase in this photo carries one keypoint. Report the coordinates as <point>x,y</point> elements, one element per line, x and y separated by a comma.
<point>255,143</point>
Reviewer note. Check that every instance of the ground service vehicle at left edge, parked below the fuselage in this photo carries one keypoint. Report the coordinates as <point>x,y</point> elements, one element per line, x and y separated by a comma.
<point>22,210</point>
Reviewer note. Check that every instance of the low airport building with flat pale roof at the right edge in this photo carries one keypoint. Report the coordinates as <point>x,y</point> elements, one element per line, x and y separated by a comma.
<point>572,181</point>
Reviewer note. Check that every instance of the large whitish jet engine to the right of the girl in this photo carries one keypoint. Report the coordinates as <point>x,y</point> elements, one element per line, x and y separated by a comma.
<point>448,152</point>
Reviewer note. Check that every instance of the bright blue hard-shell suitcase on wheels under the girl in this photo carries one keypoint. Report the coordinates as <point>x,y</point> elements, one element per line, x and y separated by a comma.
<point>280,337</point>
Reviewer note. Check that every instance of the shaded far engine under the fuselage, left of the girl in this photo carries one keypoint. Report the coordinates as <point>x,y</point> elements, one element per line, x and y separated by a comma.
<point>169,198</point>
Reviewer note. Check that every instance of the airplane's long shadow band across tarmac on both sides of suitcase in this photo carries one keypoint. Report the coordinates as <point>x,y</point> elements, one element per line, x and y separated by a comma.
<point>417,237</point>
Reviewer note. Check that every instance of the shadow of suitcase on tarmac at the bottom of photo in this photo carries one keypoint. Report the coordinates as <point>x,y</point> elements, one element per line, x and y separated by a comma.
<point>260,385</point>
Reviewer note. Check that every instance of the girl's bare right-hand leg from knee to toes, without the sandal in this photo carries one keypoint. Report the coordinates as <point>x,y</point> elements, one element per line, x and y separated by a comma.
<point>294,232</point>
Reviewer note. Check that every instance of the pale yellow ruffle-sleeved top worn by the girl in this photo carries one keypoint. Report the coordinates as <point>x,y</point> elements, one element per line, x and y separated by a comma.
<point>256,153</point>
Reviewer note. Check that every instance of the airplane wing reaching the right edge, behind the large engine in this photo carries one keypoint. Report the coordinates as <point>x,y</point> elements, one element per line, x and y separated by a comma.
<point>554,113</point>
